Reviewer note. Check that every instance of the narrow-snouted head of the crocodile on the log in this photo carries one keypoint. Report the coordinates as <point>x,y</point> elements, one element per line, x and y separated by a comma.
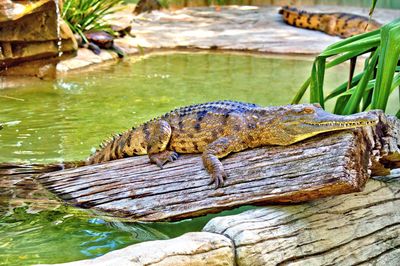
<point>299,122</point>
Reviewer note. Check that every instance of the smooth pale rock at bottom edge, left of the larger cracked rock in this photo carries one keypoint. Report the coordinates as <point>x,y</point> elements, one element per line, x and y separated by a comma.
<point>190,249</point>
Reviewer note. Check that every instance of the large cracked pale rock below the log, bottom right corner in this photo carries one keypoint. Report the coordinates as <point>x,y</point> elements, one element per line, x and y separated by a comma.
<point>360,228</point>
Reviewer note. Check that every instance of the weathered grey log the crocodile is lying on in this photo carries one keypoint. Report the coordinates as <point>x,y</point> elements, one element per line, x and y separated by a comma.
<point>327,165</point>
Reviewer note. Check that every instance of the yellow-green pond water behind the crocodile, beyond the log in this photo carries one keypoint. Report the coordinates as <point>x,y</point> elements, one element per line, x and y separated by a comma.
<point>64,120</point>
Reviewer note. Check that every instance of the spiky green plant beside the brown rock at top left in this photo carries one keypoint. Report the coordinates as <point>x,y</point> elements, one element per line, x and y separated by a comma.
<point>88,15</point>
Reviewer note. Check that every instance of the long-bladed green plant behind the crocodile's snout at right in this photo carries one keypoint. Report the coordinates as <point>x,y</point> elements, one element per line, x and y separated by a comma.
<point>369,89</point>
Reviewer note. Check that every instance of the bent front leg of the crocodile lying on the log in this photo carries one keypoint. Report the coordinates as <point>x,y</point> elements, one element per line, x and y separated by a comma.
<point>219,149</point>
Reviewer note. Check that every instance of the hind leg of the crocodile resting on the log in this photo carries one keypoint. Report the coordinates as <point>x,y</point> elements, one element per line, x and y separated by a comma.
<point>158,134</point>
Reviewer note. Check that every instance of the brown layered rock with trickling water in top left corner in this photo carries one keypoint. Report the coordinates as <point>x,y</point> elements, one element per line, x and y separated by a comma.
<point>31,44</point>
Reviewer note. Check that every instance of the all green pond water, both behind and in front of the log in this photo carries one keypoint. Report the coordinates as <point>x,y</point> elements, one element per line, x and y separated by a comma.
<point>47,121</point>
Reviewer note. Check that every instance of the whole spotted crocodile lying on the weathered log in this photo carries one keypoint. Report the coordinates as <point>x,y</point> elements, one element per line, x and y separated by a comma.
<point>217,129</point>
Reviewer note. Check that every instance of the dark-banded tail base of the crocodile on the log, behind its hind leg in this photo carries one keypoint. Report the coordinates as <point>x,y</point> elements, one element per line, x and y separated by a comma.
<point>120,146</point>
